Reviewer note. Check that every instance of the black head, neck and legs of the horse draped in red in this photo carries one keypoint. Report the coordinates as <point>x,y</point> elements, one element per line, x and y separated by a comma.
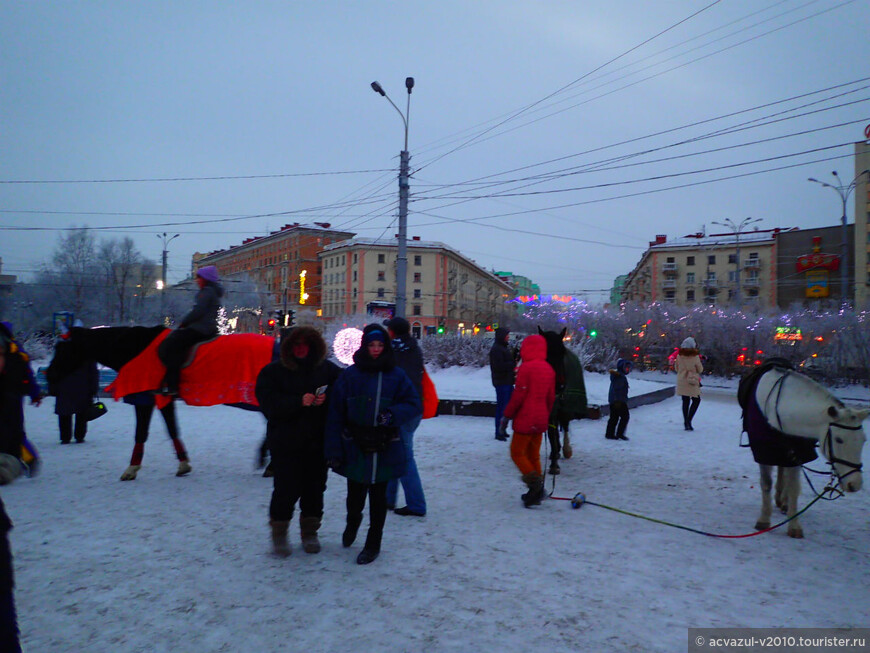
<point>114,347</point>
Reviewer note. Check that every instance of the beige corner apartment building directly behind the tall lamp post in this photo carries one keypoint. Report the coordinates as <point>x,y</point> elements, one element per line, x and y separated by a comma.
<point>443,286</point>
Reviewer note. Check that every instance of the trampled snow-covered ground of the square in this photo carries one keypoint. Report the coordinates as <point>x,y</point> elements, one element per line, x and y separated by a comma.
<point>181,564</point>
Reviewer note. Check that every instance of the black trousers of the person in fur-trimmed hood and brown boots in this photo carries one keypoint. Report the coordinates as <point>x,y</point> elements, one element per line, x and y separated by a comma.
<point>302,479</point>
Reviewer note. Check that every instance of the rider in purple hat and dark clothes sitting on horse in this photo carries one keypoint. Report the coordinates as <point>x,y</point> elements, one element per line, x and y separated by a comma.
<point>198,325</point>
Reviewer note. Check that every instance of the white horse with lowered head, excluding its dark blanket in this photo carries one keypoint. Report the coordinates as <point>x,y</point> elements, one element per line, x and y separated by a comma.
<point>796,405</point>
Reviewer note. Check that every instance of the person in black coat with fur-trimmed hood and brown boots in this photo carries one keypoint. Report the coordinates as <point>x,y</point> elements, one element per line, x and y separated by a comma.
<point>293,394</point>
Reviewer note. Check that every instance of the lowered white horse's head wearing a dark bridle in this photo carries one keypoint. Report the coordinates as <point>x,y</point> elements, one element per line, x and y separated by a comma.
<point>843,444</point>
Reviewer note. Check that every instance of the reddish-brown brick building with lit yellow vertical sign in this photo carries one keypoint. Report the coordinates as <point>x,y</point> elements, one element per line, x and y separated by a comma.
<point>285,262</point>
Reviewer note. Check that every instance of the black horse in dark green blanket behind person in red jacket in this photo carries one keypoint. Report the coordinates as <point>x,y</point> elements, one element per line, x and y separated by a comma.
<point>570,395</point>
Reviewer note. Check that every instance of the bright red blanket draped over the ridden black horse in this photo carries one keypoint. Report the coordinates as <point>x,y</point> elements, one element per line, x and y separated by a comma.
<point>224,371</point>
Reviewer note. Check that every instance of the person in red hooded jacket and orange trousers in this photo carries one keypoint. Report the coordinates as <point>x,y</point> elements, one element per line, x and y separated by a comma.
<point>529,408</point>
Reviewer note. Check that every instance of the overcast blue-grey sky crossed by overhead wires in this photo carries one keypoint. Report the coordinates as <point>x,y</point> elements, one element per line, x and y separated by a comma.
<point>551,139</point>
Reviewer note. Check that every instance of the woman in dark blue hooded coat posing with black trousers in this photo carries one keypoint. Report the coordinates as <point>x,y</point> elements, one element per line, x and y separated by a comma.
<point>370,400</point>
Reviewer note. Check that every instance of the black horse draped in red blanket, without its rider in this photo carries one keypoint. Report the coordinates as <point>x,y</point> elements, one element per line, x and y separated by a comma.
<point>220,371</point>
